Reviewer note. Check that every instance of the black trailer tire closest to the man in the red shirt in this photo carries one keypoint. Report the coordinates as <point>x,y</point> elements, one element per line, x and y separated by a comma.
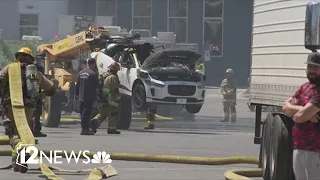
<point>281,150</point>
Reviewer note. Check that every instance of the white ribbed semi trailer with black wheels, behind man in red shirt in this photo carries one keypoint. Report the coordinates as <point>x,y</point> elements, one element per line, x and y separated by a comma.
<point>284,33</point>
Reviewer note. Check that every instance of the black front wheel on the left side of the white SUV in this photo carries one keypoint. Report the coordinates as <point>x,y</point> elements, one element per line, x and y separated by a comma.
<point>139,97</point>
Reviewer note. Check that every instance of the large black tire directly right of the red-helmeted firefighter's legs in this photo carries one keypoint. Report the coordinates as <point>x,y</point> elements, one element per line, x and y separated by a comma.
<point>125,113</point>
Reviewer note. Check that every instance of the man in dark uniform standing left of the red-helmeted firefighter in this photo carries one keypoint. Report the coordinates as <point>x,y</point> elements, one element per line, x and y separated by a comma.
<point>86,88</point>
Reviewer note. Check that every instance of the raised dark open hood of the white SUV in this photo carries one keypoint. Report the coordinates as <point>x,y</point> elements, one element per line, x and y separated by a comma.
<point>167,56</point>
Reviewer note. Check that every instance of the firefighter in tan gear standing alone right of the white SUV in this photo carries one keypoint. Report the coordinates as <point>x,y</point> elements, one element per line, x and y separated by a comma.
<point>229,93</point>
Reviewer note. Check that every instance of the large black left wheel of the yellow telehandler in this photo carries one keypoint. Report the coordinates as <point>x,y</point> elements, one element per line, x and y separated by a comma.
<point>51,113</point>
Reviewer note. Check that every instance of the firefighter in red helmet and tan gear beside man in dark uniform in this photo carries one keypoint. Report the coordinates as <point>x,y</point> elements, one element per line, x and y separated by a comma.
<point>108,100</point>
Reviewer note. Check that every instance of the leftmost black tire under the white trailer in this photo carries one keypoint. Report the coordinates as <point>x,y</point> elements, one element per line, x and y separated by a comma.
<point>265,146</point>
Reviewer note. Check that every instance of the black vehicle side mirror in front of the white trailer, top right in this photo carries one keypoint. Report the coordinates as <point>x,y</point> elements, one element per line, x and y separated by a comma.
<point>312,26</point>
